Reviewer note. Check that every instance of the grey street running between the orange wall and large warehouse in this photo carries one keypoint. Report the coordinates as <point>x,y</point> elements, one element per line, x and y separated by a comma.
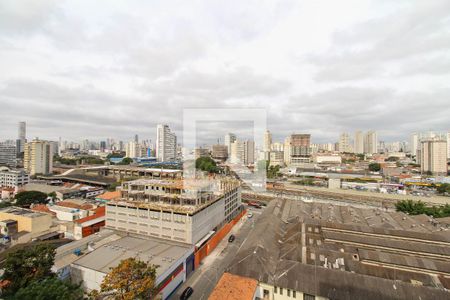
<point>204,279</point>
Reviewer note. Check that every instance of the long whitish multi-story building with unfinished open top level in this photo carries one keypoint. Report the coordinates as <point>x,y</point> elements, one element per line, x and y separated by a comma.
<point>179,210</point>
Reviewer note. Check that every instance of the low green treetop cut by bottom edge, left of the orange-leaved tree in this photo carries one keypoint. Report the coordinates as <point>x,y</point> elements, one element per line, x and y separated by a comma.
<point>50,288</point>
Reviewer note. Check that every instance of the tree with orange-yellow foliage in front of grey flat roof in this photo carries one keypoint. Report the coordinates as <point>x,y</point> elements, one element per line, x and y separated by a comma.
<point>131,279</point>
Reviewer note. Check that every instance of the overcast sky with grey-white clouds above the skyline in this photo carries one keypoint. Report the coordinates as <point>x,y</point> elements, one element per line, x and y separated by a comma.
<point>98,69</point>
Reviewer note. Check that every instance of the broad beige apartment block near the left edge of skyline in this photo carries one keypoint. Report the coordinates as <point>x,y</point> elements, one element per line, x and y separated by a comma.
<point>38,157</point>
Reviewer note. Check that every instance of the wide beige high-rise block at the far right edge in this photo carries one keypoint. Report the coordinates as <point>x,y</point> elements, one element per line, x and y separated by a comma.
<point>433,154</point>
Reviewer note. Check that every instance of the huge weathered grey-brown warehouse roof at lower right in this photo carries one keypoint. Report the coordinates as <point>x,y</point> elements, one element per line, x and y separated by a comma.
<point>282,251</point>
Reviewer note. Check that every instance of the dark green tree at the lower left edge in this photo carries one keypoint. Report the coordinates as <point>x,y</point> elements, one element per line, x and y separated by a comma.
<point>27,265</point>
